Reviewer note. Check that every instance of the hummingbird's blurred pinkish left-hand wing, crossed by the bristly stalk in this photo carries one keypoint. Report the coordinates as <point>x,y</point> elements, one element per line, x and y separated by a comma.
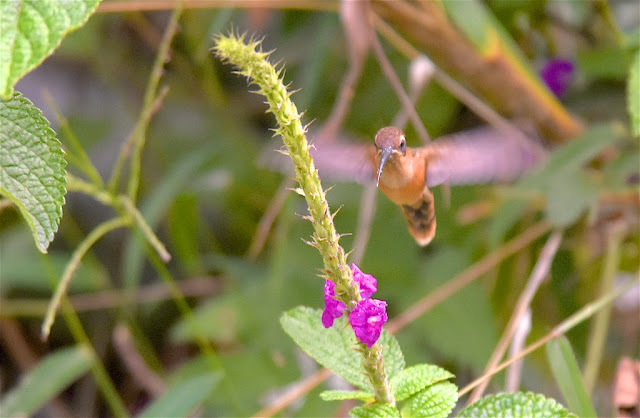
<point>335,161</point>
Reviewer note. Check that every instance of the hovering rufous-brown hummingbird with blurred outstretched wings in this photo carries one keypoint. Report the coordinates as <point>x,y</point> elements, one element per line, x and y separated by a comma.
<point>404,174</point>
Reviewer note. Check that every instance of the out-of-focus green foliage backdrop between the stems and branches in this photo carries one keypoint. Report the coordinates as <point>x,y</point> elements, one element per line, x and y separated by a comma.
<point>204,192</point>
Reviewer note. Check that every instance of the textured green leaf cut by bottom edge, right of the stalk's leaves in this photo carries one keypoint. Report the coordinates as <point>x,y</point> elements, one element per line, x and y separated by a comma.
<point>515,405</point>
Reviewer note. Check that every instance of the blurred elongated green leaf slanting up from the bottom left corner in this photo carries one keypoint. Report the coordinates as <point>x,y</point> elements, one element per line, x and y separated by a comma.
<point>49,378</point>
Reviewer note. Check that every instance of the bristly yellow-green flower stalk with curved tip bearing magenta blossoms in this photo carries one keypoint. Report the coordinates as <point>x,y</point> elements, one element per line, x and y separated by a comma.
<point>252,62</point>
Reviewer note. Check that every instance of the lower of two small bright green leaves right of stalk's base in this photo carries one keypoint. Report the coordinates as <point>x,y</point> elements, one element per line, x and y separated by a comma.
<point>436,401</point>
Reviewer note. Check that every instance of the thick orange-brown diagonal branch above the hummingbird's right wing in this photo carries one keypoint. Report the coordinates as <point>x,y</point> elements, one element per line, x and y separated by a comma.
<point>491,74</point>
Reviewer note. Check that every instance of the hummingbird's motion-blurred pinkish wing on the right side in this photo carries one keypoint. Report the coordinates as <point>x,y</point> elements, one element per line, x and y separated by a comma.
<point>481,155</point>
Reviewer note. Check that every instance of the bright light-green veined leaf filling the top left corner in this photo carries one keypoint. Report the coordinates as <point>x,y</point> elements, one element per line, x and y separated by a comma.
<point>31,30</point>
